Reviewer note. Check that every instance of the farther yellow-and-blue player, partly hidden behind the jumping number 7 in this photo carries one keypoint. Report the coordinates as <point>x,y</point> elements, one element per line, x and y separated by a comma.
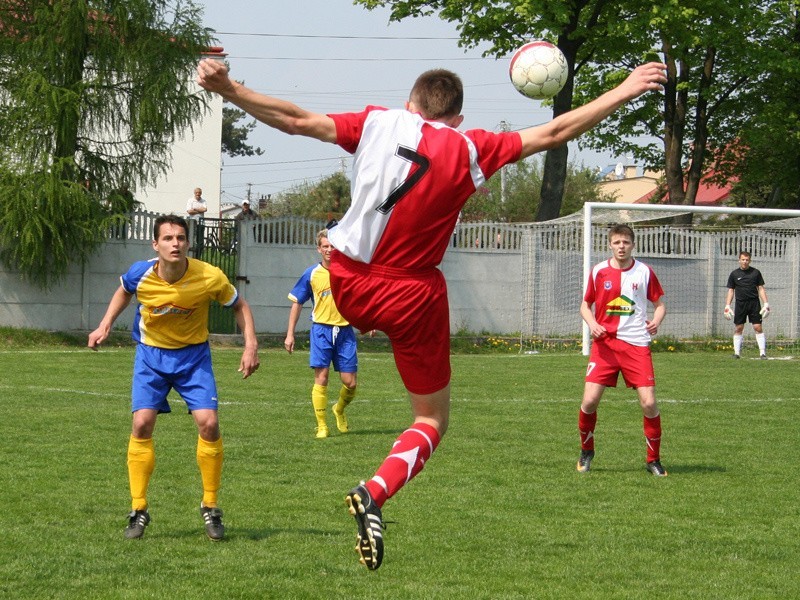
<point>333,339</point>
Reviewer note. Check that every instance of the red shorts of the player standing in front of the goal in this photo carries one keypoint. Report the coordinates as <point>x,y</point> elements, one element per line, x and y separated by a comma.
<point>610,356</point>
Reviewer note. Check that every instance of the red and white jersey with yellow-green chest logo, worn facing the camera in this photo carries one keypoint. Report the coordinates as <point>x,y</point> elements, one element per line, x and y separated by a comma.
<point>620,299</point>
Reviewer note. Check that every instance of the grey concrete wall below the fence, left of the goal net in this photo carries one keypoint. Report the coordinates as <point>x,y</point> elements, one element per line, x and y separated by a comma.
<point>483,289</point>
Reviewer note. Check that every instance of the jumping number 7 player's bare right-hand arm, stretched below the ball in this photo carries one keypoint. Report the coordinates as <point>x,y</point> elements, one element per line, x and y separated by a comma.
<point>566,127</point>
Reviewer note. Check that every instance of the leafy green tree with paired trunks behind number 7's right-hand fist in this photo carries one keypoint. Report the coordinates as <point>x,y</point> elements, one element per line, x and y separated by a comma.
<point>716,53</point>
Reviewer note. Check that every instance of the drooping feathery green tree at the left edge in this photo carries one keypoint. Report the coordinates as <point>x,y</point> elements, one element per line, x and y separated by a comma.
<point>92,94</point>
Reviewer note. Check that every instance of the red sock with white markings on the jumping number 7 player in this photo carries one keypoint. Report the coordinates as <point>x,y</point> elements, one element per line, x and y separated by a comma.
<point>409,453</point>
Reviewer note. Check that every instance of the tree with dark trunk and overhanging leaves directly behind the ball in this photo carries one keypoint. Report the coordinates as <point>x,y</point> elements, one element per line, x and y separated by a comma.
<point>582,29</point>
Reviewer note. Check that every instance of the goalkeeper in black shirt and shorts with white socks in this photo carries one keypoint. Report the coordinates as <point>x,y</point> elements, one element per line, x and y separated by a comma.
<point>747,285</point>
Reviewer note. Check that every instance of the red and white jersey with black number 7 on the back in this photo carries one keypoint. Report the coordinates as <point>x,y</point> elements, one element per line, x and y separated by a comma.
<point>411,177</point>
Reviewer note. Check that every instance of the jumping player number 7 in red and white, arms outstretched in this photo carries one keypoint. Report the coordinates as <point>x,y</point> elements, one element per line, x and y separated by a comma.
<point>413,171</point>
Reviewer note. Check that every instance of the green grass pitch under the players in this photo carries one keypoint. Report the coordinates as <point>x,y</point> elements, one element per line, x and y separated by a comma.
<point>498,512</point>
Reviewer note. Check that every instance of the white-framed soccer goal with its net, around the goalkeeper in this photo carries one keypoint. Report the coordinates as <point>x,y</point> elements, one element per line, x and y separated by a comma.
<point>692,263</point>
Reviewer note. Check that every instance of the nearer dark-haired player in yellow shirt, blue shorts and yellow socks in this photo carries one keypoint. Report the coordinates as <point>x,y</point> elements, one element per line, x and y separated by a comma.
<point>172,352</point>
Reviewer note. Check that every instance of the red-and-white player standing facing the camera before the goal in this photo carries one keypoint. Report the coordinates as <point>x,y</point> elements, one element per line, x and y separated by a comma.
<point>620,288</point>
